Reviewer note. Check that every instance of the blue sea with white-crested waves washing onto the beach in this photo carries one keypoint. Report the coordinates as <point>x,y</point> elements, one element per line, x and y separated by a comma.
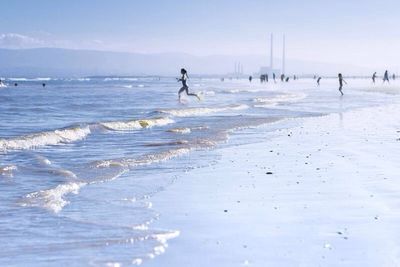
<point>81,158</point>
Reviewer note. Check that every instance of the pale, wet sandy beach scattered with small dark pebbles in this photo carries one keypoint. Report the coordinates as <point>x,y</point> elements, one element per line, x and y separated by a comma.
<point>323,193</point>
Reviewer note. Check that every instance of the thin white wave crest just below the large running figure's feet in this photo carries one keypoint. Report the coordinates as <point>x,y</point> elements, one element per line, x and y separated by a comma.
<point>188,112</point>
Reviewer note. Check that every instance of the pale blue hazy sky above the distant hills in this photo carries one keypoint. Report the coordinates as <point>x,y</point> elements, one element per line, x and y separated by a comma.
<point>364,33</point>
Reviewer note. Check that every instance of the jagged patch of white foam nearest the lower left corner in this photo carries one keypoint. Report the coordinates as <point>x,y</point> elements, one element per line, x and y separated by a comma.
<point>51,199</point>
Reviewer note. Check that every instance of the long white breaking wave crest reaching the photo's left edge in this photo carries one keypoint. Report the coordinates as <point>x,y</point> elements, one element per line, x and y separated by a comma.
<point>44,139</point>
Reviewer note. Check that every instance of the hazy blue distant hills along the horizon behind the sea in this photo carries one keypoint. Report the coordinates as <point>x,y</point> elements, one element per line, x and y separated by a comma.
<point>42,62</point>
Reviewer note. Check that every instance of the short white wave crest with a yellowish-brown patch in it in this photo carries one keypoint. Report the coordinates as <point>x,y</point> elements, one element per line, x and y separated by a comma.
<point>136,124</point>
